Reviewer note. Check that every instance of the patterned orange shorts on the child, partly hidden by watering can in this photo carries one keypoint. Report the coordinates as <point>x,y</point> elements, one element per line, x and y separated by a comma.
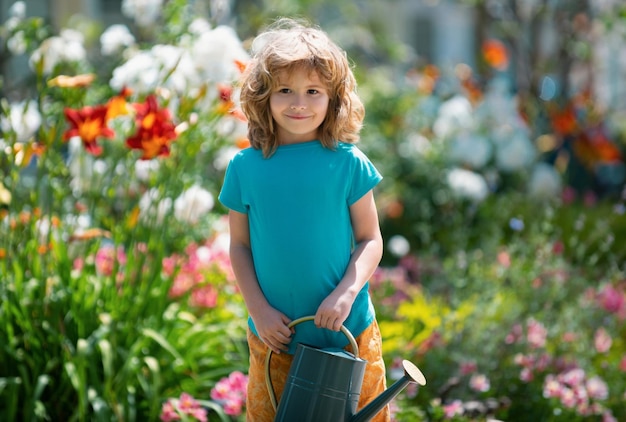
<point>259,407</point>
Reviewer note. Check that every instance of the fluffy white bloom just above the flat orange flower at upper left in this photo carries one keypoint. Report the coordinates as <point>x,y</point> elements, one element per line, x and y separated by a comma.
<point>67,47</point>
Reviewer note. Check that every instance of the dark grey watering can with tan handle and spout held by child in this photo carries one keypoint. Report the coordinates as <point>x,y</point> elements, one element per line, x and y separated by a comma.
<point>324,385</point>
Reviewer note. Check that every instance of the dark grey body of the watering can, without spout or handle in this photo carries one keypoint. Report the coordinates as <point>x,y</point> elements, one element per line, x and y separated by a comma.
<point>322,385</point>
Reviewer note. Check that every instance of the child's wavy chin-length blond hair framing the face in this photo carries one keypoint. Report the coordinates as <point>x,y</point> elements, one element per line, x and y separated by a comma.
<point>286,45</point>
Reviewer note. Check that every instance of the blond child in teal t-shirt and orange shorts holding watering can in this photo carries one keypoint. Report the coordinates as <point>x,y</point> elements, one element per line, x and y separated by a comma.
<point>304,229</point>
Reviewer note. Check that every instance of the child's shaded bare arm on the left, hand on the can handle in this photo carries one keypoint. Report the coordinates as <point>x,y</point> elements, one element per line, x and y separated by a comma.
<point>270,324</point>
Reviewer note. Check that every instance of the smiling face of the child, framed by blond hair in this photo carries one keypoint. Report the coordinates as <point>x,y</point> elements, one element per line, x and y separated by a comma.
<point>298,105</point>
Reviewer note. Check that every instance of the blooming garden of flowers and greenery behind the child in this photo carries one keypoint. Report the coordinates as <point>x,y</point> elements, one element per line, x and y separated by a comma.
<point>502,208</point>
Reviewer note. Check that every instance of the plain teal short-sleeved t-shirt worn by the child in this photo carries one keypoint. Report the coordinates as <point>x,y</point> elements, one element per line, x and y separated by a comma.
<point>297,202</point>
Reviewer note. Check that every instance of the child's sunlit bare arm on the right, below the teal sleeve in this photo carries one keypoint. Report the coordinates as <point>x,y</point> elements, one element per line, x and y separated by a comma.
<point>334,310</point>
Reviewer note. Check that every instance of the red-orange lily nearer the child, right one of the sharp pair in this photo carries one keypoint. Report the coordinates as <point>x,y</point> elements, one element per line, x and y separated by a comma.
<point>155,130</point>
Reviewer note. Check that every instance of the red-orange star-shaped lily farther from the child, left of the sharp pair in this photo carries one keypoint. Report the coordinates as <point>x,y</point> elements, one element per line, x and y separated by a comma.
<point>88,123</point>
